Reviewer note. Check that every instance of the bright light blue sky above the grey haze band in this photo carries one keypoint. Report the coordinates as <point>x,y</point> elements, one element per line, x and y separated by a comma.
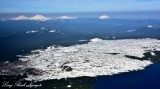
<point>49,6</point>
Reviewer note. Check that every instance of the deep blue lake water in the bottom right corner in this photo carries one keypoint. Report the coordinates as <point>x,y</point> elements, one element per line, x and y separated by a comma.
<point>145,79</point>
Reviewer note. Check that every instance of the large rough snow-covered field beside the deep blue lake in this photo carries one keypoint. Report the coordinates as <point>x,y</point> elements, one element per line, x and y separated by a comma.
<point>92,59</point>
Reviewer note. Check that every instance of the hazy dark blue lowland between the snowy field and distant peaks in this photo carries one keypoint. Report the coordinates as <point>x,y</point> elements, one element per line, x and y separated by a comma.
<point>15,41</point>
